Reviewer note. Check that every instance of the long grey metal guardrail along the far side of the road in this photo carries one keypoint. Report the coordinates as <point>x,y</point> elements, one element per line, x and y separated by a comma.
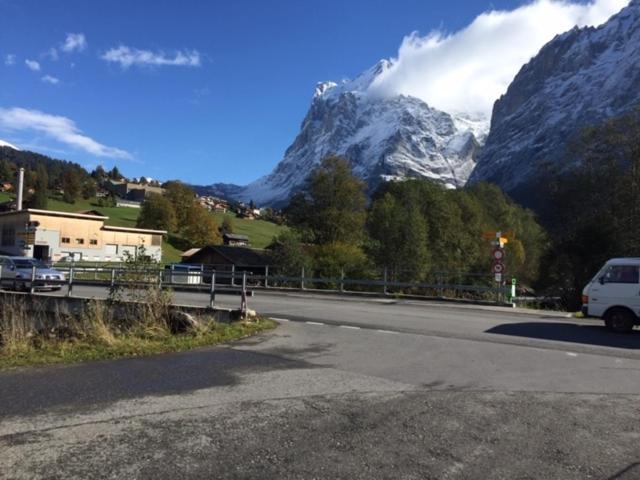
<point>210,280</point>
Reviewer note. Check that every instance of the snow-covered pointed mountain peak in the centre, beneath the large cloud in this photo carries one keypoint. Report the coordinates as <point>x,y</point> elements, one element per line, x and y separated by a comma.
<point>383,138</point>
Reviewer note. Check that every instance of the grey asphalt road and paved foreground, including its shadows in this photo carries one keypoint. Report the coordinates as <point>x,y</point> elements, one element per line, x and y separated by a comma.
<point>344,388</point>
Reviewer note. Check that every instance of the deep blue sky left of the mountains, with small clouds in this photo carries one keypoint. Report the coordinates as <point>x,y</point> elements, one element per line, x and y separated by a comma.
<point>236,81</point>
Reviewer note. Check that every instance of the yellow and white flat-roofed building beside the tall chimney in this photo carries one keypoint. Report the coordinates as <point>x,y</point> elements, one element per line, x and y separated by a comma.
<point>54,235</point>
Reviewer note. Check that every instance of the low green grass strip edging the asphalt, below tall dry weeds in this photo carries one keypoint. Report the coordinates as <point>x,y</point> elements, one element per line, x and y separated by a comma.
<point>83,350</point>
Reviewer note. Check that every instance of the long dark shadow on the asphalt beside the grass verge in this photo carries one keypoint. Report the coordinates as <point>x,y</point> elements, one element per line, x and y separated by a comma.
<point>91,385</point>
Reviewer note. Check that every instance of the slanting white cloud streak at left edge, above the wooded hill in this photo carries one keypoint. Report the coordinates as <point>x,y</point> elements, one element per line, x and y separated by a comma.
<point>61,129</point>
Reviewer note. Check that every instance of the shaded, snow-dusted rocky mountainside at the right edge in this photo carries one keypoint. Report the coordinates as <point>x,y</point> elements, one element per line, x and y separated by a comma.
<point>580,78</point>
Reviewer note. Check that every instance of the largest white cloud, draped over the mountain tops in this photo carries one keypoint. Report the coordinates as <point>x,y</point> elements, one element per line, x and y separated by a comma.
<point>468,70</point>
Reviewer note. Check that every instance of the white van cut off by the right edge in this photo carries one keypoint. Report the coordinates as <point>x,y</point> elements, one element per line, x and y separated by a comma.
<point>614,294</point>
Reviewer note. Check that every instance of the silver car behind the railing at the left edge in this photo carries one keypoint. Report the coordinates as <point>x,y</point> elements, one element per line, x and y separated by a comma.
<point>17,272</point>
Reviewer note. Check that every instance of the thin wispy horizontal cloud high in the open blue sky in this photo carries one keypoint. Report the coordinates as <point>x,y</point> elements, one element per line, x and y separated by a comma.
<point>128,56</point>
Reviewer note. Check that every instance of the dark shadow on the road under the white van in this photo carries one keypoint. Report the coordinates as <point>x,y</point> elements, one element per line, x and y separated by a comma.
<point>569,332</point>
